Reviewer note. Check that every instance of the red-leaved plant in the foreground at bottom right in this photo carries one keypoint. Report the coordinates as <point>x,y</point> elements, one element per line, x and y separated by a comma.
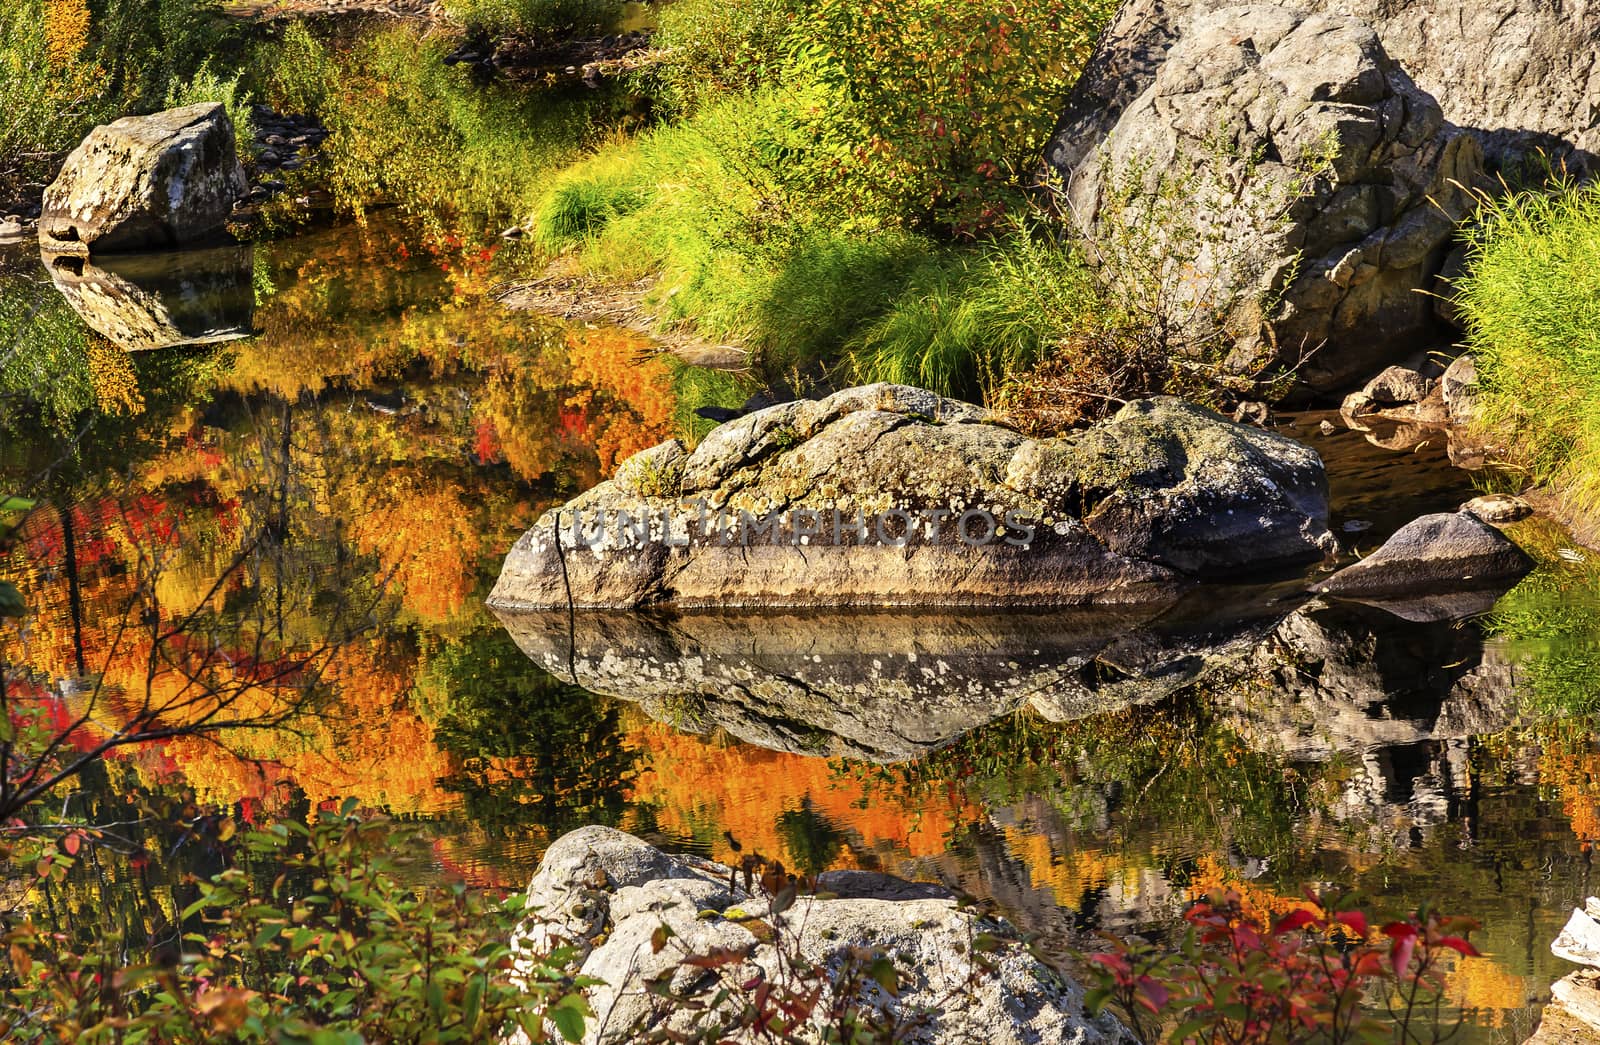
<point>1316,975</point>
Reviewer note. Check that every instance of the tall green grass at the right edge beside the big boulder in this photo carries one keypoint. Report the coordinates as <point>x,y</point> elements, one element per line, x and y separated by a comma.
<point>1532,302</point>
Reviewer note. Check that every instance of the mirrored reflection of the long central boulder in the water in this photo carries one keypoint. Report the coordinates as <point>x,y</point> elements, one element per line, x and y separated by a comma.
<point>884,687</point>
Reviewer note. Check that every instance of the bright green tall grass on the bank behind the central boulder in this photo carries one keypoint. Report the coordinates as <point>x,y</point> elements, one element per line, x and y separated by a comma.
<point>742,257</point>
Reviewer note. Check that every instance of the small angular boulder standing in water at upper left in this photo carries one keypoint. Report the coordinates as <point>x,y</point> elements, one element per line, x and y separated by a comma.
<point>146,183</point>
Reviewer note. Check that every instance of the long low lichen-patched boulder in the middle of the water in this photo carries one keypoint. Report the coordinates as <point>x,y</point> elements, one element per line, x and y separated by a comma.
<point>889,495</point>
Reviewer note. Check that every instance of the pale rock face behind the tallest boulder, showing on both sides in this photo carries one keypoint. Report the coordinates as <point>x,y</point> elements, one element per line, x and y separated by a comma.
<point>1519,76</point>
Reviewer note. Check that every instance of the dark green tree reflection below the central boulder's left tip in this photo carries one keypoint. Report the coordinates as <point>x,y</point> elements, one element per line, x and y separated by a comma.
<point>535,751</point>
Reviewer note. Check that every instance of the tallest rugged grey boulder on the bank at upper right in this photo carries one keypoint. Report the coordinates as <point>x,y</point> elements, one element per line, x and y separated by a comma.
<point>1300,185</point>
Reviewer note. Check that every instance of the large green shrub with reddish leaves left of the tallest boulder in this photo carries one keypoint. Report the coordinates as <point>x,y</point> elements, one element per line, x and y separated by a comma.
<point>934,111</point>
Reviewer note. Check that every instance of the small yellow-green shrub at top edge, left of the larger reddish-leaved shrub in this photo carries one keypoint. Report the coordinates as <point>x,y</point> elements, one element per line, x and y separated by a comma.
<point>718,49</point>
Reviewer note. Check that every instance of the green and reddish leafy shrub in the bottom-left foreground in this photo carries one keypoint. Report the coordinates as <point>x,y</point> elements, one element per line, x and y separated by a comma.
<point>314,937</point>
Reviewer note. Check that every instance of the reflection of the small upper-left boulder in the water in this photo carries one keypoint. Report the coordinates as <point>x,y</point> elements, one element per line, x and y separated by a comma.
<point>166,300</point>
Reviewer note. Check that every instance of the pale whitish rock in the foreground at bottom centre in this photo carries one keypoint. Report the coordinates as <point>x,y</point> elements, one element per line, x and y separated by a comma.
<point>609,892</point>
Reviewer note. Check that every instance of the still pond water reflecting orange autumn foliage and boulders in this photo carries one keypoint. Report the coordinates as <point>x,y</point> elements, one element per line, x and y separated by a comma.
<point>351,434</point>
